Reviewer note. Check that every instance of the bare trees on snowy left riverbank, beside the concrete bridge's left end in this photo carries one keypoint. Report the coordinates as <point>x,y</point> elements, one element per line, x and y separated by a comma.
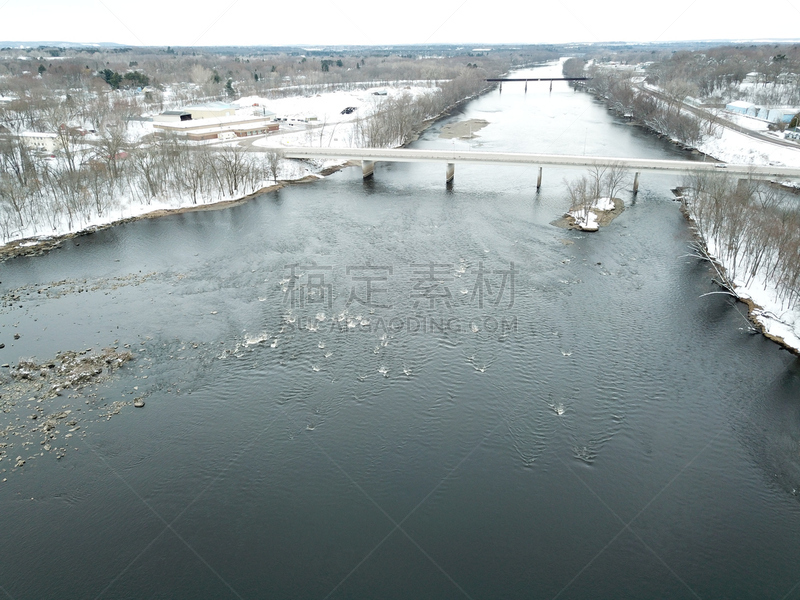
<point>39,196</point>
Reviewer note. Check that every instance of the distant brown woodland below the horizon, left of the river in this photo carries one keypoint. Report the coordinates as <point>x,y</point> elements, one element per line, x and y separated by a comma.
<point>210,70</point>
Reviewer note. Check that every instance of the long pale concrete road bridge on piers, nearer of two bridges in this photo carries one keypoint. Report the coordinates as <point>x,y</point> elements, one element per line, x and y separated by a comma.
<point>369,156</point>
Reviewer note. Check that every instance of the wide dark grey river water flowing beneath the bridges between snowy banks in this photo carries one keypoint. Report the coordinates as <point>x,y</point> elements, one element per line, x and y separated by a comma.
<point>400,389</point>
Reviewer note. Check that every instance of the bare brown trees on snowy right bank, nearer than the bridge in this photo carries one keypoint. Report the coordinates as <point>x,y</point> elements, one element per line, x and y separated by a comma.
<point>749,226</point>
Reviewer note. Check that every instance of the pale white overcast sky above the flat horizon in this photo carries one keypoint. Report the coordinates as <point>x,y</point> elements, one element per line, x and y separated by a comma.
<point>312,22</point>
